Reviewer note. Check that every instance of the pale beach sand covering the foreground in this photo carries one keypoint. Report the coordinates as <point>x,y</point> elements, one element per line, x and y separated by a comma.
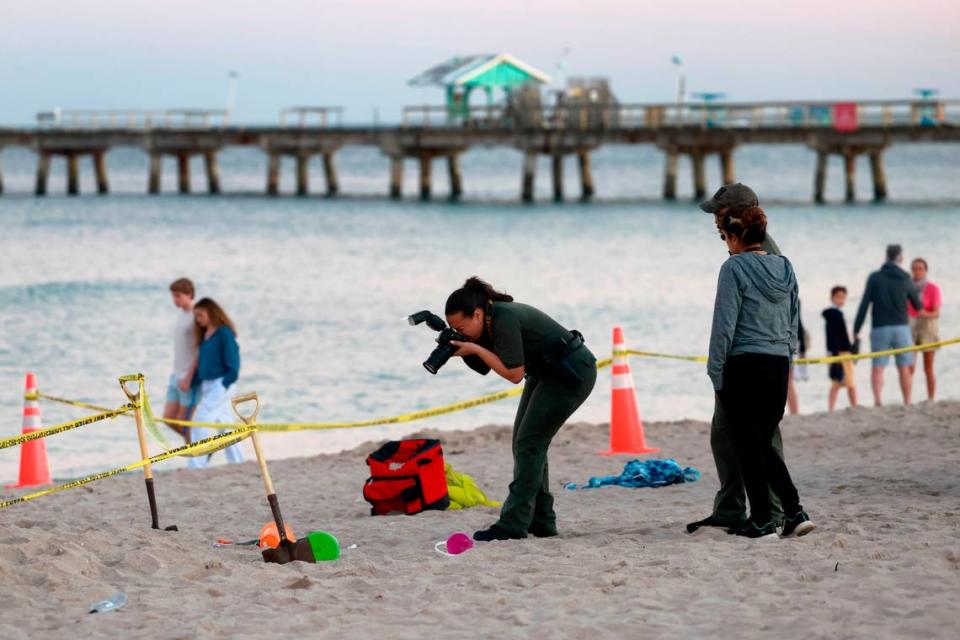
<point>881,484</point>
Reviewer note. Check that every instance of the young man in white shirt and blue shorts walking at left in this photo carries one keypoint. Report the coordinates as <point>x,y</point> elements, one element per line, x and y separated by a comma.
<point>180,394</point>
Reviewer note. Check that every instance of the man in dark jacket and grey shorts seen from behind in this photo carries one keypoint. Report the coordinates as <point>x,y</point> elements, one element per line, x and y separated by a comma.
<point>888,290</point>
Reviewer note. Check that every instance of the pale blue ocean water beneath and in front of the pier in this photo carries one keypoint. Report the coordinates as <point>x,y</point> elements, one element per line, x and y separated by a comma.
<point>320,288</point>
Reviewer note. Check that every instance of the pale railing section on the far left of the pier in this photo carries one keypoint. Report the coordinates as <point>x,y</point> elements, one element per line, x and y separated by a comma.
<point>133,118</point>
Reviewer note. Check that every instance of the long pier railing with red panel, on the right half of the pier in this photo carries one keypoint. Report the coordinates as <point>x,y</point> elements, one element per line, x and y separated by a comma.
<point>719,115</point>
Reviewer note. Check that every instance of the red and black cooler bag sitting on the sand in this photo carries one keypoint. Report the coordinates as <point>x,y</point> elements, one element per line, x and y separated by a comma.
<point>406,476</point>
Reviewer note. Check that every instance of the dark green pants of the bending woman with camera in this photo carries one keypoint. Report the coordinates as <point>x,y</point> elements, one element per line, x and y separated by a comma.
<point>544,407</point>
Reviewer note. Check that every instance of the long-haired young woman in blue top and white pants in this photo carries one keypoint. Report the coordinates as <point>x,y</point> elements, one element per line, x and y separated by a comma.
<point>218,367</point>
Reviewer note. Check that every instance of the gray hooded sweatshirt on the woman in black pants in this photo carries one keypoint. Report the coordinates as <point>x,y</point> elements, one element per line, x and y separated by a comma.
<point>757,310</point>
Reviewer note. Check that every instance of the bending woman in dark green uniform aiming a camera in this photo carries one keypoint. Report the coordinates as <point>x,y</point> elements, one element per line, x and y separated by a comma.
<point>518,341</point>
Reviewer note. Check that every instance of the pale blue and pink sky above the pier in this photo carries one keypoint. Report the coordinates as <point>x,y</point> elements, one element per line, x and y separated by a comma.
<point>359,54</point>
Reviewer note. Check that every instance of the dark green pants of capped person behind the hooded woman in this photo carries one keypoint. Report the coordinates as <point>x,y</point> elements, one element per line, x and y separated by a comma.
<point>730,505</point>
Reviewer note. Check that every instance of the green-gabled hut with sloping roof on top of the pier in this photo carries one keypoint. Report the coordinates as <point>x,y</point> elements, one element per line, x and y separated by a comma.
<point>462,74</point>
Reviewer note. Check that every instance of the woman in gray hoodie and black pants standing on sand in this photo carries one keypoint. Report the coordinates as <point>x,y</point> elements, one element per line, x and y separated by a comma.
<point>754,336</point>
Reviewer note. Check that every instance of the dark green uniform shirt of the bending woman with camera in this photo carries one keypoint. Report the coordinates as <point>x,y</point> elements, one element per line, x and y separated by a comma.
<point>522,335</point>
